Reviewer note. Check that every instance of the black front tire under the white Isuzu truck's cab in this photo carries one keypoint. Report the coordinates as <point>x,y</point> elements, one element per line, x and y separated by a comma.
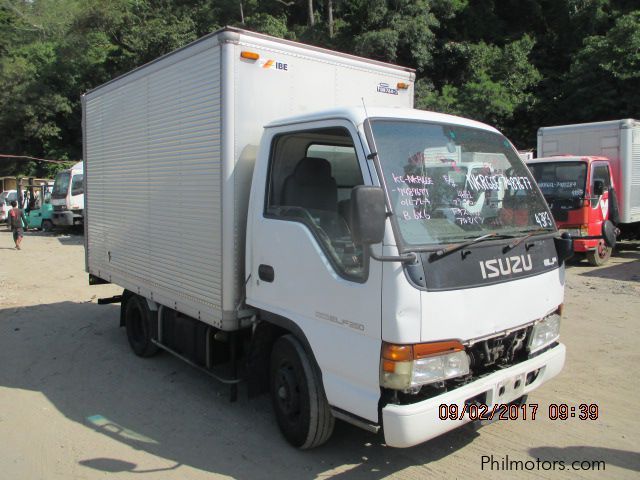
<point>301,408</point>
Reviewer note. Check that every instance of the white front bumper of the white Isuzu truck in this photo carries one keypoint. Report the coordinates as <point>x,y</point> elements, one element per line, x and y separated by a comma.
<point>409,425</point>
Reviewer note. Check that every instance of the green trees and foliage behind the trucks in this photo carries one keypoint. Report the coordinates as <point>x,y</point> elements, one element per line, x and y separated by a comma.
<point>517,64</point>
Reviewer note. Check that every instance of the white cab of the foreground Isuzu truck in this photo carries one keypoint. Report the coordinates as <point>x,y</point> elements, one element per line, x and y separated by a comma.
<point>452,306</point>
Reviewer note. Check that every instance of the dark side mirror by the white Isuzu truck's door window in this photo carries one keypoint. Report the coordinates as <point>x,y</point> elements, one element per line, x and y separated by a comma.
<point>368,214</point>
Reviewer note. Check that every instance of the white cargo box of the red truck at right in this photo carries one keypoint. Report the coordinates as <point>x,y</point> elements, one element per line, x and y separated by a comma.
<point>618,140</point>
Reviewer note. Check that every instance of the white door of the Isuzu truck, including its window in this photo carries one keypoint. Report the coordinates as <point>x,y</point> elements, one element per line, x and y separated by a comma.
<point>303,264</point>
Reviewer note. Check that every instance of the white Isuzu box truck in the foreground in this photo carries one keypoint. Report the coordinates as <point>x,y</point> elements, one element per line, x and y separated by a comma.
<point>279,214</point>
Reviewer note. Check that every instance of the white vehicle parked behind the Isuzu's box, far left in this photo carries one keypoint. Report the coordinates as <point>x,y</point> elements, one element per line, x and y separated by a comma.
<point>67,197</point>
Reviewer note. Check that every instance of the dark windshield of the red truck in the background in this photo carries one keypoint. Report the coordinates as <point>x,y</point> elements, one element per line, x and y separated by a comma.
<point>561,183</point>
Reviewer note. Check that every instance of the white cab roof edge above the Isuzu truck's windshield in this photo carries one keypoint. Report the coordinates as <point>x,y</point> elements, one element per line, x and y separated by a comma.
<point>357,115</point>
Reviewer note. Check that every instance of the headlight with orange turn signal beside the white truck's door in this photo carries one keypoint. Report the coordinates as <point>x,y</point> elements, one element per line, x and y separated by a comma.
<point>407,366</point>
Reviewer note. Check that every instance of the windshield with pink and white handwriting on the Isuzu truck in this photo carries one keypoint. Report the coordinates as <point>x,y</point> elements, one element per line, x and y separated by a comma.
<point>448,183</point>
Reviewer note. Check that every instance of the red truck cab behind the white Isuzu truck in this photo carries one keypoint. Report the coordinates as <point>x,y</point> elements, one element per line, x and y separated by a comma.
<point>579,191</point>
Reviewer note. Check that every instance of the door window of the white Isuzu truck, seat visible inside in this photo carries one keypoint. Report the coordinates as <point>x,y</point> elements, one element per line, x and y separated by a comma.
<point>312,174</point>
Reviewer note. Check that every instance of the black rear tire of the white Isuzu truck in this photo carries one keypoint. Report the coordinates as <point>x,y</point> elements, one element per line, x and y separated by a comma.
<point>141,324</point>
